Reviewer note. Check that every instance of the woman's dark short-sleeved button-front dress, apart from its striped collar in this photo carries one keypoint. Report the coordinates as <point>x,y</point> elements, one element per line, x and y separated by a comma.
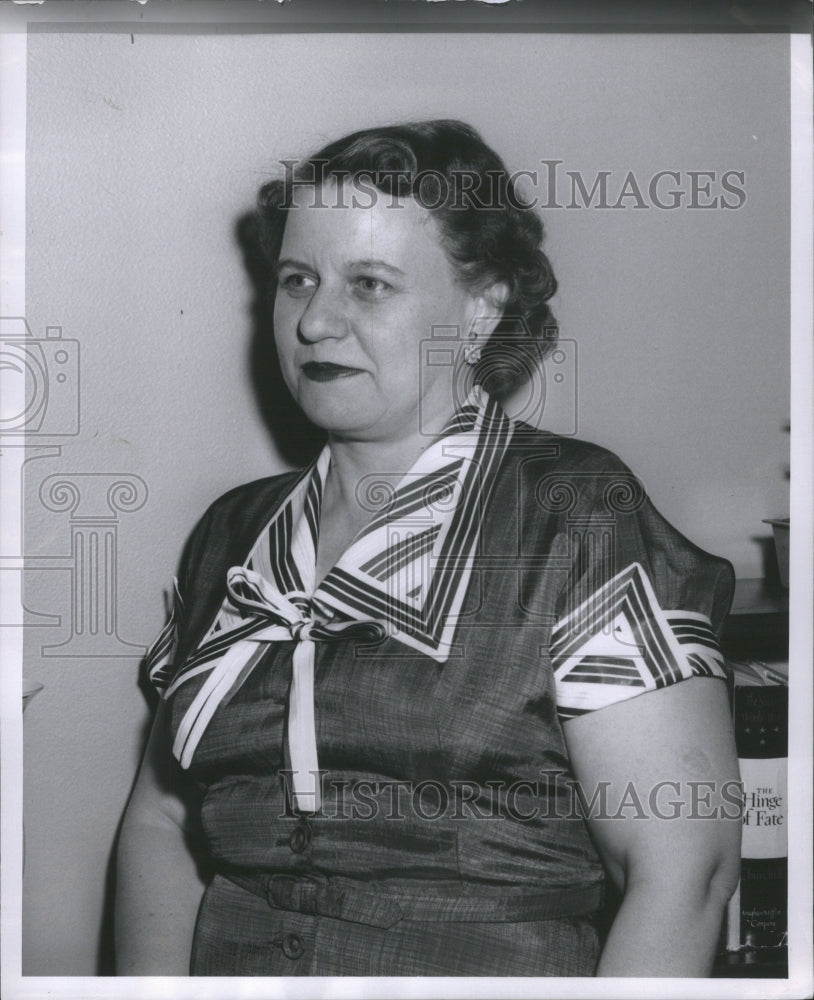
<point>447,841</point>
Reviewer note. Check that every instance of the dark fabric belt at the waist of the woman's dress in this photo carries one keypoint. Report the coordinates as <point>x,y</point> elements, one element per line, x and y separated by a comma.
<point>341,898</point>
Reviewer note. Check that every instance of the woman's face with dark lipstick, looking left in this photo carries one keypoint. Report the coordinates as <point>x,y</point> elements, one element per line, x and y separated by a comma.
<point>358,290</point>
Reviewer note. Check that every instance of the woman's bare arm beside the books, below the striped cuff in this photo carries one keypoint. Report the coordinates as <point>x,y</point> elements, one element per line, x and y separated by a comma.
<point>669,831</point>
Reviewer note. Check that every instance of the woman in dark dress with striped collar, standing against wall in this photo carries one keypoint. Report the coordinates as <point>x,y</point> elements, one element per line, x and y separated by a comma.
<point>384,672</point>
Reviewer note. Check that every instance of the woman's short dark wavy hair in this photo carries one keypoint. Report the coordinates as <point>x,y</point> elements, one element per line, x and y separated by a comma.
<point>487,232</point>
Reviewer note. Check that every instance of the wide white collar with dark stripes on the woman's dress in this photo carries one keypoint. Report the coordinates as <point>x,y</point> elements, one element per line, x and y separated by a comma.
<point>408,568</point>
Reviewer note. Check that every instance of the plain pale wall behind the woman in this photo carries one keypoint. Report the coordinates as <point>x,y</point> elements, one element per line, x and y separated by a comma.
<point>144,152</point>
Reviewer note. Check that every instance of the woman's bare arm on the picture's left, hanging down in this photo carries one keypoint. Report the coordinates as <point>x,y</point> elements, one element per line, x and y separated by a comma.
<point>159,884</point>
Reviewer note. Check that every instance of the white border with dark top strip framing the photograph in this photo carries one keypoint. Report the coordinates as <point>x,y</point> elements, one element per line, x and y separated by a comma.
<point>370,16</point>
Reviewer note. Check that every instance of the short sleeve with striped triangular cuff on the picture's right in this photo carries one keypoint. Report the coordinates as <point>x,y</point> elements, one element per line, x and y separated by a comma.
<point>642,604</point>
